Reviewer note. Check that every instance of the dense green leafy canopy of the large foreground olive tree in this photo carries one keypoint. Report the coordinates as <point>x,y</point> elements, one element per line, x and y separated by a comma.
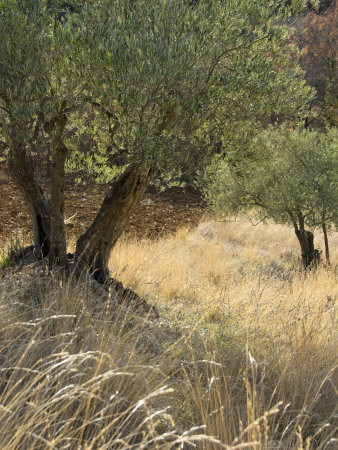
<point>167,75</point>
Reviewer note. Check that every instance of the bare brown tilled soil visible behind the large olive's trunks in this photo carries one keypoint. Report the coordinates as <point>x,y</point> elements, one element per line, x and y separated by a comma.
<point>157,215</point>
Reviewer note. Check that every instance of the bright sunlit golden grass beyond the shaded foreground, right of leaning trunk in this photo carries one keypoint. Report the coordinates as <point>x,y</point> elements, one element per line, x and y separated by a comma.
<point>225,271</point>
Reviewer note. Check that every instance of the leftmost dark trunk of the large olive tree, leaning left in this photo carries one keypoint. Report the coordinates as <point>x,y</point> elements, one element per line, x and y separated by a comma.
<point>38,203</point>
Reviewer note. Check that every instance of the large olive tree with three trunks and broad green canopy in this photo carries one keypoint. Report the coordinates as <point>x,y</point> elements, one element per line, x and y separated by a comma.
<point>165,83</point>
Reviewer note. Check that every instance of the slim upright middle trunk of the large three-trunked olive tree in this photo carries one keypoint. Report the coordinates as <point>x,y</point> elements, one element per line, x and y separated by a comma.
<point>58,246</point>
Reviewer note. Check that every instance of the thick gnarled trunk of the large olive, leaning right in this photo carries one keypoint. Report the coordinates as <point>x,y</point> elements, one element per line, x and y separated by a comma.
<point>93,247</point>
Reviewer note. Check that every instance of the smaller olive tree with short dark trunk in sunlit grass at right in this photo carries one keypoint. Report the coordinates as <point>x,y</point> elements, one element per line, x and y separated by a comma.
<point>289,176</point>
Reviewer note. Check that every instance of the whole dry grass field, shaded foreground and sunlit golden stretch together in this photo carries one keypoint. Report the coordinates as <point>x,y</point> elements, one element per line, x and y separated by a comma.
<point>243,356</point>
